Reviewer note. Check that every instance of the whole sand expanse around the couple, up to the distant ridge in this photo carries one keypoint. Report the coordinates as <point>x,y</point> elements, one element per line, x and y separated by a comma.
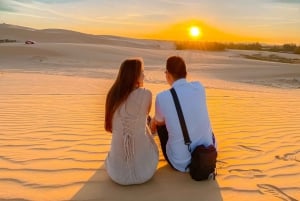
<point>53,144</point>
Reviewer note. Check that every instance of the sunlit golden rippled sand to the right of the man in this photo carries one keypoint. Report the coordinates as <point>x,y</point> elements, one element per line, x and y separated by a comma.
<point>259,138</point>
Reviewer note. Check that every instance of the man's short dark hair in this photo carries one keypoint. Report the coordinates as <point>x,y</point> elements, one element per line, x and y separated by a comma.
<point>176,67</point>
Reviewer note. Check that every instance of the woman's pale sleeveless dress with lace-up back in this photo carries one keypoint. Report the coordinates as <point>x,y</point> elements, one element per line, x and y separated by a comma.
<point>133,155</point>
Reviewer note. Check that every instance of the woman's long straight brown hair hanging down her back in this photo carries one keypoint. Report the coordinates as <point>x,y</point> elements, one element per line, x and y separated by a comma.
<point>126,81</point>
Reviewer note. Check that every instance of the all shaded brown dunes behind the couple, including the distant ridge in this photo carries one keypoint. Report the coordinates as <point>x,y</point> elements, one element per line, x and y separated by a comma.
<point>65,48</point>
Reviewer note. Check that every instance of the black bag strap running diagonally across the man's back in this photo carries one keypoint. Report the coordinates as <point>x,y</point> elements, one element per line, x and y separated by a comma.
<point>185,133</point>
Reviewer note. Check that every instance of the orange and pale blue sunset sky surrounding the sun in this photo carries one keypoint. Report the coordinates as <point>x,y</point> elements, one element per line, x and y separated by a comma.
<point>269,21</point>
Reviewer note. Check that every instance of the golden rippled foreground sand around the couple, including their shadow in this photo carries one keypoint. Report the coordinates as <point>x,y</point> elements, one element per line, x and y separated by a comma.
<point>53,145</point>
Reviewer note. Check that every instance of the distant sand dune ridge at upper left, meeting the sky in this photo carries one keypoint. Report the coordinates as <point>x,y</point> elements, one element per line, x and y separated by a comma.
<point>21,34</point>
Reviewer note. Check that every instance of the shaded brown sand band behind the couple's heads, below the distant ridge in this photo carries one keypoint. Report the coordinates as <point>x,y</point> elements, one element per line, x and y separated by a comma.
<point>103,61</point>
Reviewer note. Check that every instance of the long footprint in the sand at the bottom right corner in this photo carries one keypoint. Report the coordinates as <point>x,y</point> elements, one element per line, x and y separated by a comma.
<point>274,191</point>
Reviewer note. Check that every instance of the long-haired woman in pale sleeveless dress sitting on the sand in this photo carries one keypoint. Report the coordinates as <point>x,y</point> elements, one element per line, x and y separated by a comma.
<point>133,155</point>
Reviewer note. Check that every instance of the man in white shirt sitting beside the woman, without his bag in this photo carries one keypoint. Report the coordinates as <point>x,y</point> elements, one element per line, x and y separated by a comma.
<point>192,100</point>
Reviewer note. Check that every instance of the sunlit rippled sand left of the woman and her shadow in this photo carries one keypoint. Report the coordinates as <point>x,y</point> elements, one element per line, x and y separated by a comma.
<point>52,137</point>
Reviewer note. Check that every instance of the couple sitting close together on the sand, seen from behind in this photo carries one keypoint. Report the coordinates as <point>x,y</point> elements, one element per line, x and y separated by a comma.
<point>133,156</point>
